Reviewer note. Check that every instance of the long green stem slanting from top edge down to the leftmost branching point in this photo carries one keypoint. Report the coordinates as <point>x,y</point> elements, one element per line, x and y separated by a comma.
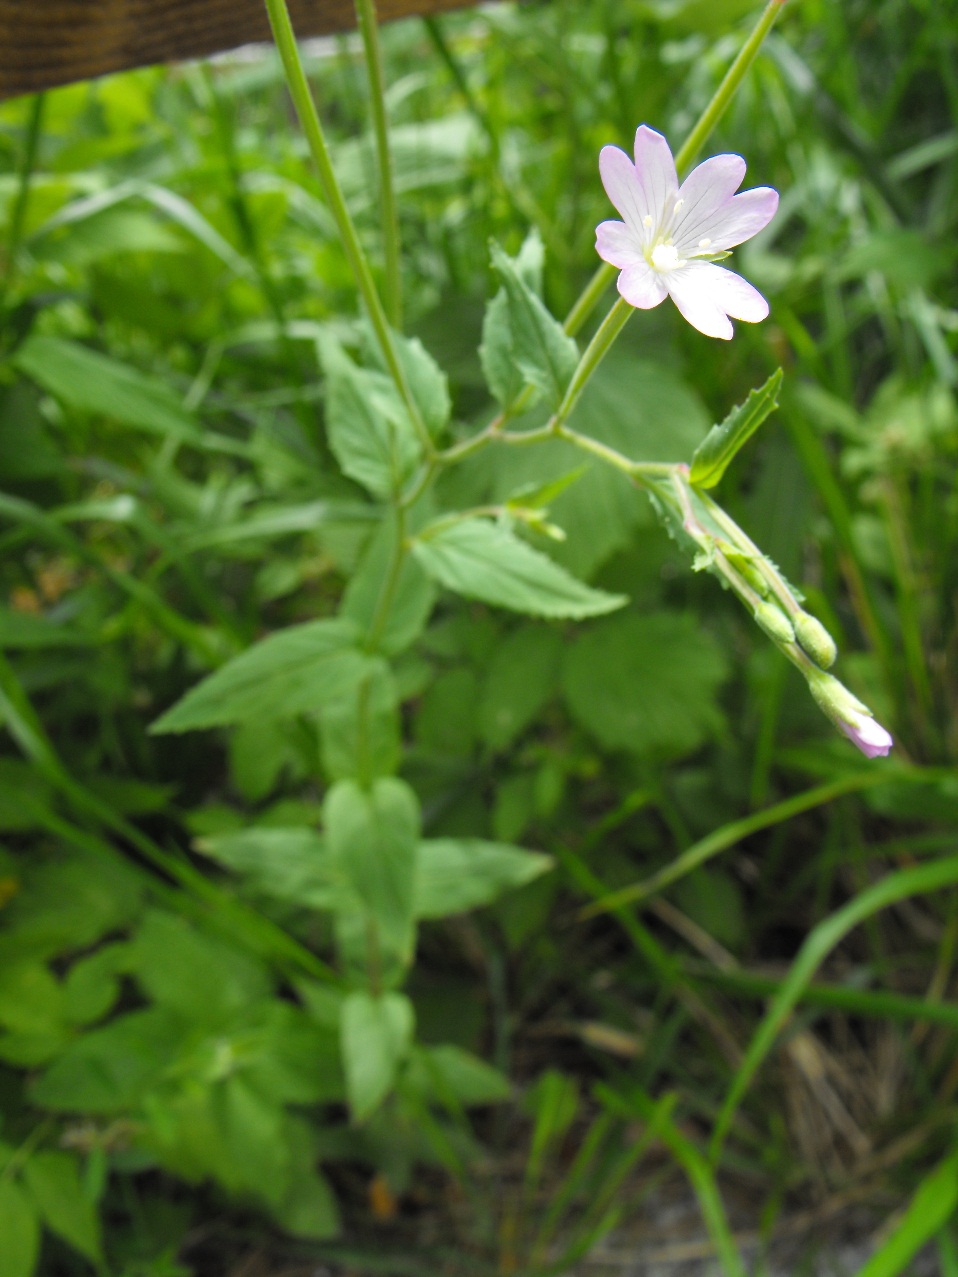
<point>310,119</point>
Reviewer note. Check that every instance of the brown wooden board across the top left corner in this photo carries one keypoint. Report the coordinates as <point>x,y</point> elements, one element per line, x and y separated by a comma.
<point>49,43</point>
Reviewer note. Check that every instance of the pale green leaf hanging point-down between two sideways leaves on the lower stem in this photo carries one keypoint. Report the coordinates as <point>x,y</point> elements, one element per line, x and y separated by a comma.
<point>372,836</point>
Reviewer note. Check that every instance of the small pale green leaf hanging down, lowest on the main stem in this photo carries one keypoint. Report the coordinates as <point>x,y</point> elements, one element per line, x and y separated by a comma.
<point>376,1035</point>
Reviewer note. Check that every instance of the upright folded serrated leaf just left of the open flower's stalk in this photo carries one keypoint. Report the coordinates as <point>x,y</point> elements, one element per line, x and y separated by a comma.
<point>535,342</point>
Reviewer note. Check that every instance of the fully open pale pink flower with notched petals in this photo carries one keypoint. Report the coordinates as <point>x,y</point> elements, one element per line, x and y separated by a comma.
<point>671,236</point>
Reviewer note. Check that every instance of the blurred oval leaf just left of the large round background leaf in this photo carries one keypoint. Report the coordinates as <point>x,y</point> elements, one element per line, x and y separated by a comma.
<point>522,677</point>
